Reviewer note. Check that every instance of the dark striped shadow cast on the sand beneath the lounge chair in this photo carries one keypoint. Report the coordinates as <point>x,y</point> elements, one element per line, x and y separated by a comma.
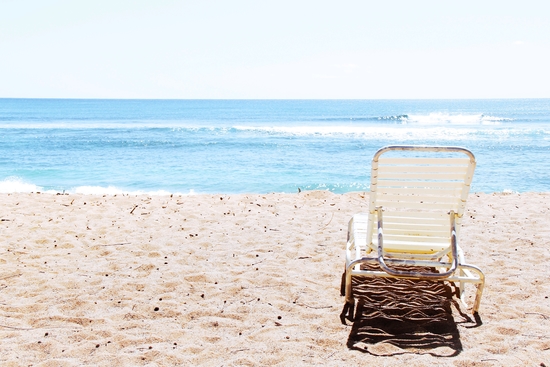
<point>398,316</point>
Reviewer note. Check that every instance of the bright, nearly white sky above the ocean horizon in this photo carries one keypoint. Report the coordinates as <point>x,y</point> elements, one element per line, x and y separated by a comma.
<point>263,49</point>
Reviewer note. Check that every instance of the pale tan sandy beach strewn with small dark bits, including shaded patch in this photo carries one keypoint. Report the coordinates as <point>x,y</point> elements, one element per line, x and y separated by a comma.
<point>254,280</point>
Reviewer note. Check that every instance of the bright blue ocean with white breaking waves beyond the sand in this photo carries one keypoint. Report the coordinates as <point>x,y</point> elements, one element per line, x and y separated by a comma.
<point>258,146</point>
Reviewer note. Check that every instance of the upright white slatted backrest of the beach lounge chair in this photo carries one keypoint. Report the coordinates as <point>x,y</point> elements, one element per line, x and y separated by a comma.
<point>417,187</point>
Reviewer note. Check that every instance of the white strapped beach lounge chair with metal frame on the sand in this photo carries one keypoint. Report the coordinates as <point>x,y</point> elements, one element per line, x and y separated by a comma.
<point>417,199</point>
